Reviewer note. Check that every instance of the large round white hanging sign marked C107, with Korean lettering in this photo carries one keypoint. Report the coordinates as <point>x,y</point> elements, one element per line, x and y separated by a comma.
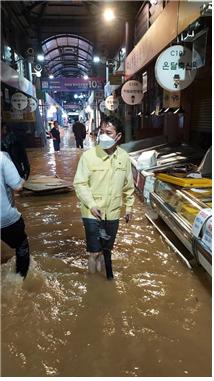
<point>174,69</point>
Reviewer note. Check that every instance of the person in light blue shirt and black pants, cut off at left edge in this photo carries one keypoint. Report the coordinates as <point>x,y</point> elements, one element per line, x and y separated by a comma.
<point>12,223</point>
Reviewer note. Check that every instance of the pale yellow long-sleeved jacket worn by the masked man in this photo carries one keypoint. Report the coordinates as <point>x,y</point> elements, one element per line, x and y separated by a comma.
<point>103,181</point>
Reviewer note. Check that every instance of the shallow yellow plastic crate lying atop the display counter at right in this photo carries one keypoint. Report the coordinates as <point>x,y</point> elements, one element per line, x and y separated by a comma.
<point>185,182</point>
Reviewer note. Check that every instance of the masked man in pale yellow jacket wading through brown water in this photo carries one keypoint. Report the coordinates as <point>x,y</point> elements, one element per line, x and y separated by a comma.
<point>103,181</point>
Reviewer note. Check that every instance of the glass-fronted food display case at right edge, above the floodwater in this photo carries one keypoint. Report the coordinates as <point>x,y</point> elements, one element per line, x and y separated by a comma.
<point>180,208</point>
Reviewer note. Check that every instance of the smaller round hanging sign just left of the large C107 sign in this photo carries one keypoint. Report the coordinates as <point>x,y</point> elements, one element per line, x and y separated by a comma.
<point>132,92</point>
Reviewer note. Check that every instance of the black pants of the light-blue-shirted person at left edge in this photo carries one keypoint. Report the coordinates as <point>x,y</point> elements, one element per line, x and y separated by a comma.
<point>15,237</point>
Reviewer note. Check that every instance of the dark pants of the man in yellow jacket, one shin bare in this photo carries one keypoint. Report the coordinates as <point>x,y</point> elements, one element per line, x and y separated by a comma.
<point>95,243</point>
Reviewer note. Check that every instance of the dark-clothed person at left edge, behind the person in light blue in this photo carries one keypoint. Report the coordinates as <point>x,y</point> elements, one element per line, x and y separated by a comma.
<point>14,146</point>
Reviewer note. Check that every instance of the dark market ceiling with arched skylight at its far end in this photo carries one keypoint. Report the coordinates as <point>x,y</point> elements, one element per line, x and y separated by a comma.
<point>69,32</point>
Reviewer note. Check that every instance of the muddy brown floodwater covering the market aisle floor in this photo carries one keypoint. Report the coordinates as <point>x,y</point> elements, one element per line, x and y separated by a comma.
<point>154,319</point>
